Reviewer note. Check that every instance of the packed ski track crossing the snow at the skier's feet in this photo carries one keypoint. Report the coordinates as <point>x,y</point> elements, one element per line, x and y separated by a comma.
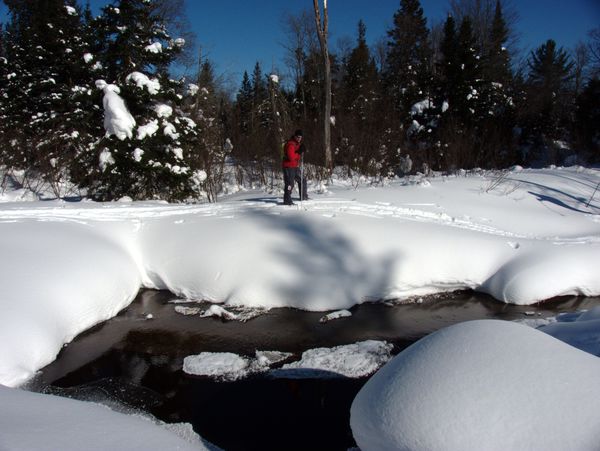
<point>229,210</point>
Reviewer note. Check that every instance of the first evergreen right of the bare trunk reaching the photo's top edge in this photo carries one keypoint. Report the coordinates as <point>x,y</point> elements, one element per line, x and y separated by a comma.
<point>407,73</point>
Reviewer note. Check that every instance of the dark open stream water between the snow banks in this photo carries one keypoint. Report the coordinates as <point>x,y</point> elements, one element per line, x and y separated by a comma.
<point>135,363</point>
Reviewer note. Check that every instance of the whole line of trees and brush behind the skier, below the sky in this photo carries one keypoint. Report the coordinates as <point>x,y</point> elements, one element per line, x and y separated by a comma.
<point>443,98</point>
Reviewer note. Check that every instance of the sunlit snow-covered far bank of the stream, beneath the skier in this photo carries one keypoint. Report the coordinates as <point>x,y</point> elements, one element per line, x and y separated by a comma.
<point>522,237</point>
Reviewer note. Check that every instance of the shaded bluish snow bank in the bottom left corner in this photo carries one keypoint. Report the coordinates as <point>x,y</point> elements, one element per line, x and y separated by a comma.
<point>31,421</point>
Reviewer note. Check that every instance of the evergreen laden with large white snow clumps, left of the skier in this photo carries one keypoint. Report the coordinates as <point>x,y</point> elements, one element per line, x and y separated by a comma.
<point>154,159</point>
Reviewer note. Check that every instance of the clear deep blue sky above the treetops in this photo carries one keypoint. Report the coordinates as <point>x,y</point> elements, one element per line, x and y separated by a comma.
<point>237,33</point>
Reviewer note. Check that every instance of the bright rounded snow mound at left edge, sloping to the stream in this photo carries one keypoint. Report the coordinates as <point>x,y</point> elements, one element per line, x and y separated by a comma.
<point>58,279</point>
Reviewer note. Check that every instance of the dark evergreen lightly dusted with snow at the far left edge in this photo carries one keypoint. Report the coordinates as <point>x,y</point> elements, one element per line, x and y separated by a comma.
<point>45,107</point>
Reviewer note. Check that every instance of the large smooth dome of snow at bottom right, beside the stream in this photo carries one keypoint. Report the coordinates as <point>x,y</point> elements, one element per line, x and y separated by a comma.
<point>490,385</point>
